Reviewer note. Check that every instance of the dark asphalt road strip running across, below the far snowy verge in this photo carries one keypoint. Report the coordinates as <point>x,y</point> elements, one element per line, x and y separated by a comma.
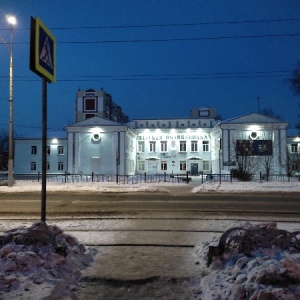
<point>82,203</point>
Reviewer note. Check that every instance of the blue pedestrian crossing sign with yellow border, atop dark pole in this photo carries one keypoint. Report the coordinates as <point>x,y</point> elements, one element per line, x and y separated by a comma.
<point>42,50</point>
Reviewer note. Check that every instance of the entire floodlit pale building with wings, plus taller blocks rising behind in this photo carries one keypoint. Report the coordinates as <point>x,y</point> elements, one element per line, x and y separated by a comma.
<point>103,141</point>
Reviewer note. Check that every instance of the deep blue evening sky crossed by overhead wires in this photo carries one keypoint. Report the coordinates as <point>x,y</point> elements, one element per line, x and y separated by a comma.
<point>156,58</point>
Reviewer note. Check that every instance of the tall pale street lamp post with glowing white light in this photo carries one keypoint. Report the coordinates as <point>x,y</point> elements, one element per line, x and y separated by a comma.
<point>12,21</point>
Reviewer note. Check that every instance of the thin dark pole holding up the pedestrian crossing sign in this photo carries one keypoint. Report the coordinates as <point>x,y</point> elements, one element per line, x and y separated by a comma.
<point>44,150</point>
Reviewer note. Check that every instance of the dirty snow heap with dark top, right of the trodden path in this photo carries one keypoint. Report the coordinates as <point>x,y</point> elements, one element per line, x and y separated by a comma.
<point>253,263</point>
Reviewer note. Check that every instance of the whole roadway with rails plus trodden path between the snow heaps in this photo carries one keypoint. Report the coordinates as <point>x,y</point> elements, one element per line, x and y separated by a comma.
<point>146,241</point>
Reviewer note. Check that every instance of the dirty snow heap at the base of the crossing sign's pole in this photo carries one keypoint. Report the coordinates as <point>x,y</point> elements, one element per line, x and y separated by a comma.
<point>40,262</point>
